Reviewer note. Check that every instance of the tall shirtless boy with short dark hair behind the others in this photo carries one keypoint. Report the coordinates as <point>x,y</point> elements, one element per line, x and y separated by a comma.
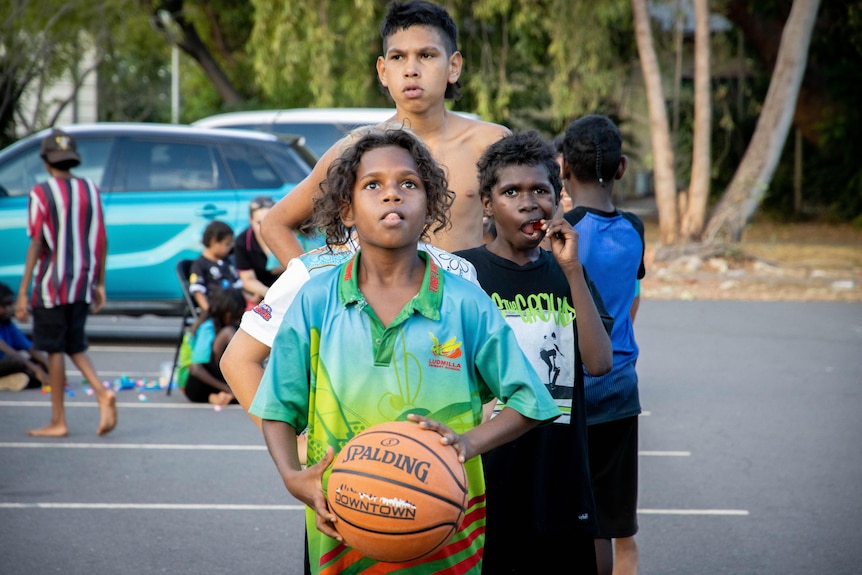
<point>420,69</point>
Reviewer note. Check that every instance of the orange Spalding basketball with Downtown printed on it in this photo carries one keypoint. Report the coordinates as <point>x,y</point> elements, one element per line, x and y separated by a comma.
<point>399,494</point>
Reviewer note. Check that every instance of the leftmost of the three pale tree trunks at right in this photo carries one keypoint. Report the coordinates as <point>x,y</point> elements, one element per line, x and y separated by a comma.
<point>665,181</point>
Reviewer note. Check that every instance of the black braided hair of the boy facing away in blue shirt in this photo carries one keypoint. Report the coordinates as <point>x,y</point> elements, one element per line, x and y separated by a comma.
<point>592,148</point>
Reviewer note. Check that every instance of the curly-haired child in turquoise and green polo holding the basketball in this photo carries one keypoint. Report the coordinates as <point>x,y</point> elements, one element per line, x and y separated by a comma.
<point>359,346</point>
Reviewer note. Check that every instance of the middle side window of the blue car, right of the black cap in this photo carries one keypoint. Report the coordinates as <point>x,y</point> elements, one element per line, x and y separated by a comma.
<point>158,166</point>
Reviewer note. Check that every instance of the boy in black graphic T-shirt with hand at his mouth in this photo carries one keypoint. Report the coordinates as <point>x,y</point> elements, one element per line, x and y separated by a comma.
<point>538,486</point>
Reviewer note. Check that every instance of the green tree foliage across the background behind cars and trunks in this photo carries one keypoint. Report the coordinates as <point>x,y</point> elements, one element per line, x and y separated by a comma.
<point>527,64</point>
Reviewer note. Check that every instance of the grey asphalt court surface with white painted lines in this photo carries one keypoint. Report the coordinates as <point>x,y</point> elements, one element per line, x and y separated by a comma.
<point>749,457</point>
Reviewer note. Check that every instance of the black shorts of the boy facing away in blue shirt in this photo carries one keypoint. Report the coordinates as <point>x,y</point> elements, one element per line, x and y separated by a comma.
<point>614,468</point>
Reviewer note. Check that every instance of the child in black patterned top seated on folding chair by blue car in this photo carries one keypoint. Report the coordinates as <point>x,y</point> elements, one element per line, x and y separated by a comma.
<point>212,271</point>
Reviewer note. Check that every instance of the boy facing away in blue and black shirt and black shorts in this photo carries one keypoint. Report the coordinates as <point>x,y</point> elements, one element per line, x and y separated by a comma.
<point>612,250</point>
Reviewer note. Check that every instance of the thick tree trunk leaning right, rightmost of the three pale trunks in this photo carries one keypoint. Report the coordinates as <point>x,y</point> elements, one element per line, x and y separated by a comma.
<point>749,184</point>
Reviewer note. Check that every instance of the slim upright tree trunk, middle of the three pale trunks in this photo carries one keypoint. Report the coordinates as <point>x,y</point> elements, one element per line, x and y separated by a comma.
<point>701,163</point>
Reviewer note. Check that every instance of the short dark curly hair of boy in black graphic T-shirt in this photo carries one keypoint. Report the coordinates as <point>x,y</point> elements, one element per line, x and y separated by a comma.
<point>528,148</point>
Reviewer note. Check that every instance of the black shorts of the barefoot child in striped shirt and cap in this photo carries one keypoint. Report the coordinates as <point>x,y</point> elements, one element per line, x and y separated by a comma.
<point>61,329</point>
